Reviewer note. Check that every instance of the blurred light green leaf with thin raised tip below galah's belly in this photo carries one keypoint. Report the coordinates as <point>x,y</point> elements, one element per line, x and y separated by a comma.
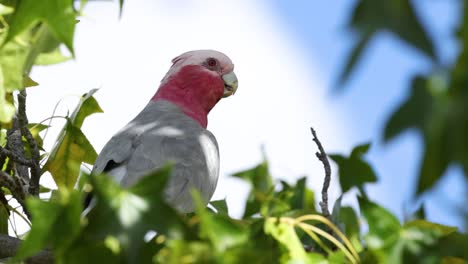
<point>222,231</point>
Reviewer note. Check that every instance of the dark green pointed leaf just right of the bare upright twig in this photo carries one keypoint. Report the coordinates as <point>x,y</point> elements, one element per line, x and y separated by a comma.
<point>354,171</point>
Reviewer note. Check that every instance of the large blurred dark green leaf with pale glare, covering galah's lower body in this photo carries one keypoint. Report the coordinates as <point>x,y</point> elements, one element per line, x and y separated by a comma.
<point>123,217</point>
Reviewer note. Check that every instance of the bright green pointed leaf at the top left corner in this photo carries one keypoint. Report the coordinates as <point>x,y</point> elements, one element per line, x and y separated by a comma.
<point>59,15</point>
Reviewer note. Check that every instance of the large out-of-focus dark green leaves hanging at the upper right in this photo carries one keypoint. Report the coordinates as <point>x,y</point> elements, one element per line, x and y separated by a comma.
<point>438,103</point>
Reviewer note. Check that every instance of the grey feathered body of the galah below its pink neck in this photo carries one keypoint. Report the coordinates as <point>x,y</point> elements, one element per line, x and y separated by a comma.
<point>162,133</point>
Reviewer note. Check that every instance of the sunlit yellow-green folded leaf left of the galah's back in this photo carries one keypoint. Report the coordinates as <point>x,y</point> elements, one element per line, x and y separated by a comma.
<point>72,147</point>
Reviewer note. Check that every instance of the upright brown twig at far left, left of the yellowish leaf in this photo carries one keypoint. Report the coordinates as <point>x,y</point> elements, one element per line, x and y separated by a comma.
<point>35,157</point>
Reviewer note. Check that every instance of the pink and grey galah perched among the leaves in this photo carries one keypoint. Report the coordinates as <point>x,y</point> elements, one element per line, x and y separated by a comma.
<point>172,128</point>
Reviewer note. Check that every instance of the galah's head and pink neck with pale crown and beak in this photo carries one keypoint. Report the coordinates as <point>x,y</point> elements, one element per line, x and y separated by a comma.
<point>196,81</point>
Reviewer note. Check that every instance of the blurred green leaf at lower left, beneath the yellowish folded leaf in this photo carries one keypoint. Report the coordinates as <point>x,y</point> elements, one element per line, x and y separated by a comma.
<point>51,220</point>
